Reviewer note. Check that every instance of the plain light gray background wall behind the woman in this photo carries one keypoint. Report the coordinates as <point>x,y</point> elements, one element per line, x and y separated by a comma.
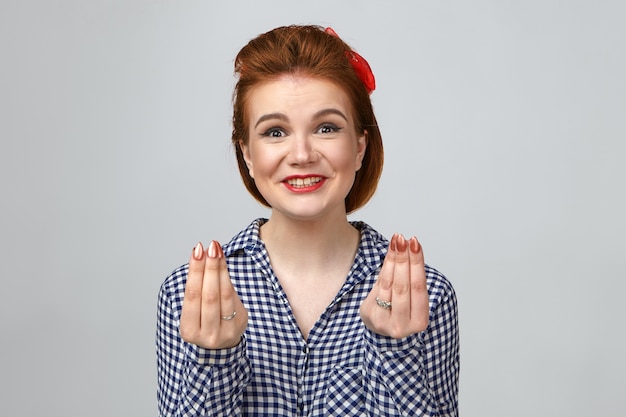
<point>504,125</point>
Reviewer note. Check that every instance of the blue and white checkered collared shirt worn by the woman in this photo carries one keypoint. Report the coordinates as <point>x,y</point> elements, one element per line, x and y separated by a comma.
<point>343,369</point>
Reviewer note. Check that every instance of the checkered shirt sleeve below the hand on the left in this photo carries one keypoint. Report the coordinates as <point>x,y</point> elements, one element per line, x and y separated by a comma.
<point>193,381</point>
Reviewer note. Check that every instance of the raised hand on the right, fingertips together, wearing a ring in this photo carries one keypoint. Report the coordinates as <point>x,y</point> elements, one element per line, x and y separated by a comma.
<point>397,306</point>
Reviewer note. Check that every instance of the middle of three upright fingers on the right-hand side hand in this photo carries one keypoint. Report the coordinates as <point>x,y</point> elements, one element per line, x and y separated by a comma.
<point>401,288</point>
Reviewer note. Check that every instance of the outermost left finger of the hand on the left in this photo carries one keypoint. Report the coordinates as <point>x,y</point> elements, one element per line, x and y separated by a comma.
<point>192,301</point>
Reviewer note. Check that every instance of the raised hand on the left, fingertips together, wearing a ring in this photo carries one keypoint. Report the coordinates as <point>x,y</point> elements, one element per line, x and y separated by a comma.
<point>213,316</point>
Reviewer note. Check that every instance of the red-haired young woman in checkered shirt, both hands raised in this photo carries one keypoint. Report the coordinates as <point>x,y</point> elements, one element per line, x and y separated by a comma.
<point>306,313</point>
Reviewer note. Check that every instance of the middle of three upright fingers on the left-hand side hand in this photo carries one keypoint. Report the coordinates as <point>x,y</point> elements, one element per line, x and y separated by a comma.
<point>211,310</point>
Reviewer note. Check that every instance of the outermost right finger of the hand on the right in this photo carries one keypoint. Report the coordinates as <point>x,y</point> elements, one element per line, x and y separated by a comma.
<point>419,289</point>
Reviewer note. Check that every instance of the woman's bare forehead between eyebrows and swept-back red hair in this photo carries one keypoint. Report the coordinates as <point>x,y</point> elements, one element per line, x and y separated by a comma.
<point>296,95</point>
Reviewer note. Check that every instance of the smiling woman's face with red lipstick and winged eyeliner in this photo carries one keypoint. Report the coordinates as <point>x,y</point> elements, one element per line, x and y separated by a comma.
<point>303,149</point>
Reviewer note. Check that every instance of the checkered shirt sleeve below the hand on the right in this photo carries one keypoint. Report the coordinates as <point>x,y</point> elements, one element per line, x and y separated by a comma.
<point>416,375</point>
